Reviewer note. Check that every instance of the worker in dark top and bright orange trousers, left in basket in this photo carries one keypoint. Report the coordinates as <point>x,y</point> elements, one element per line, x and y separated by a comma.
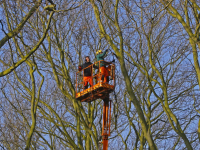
<point>87,72</point>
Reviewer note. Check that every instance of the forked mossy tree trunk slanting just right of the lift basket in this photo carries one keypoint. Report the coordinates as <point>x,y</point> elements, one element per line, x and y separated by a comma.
<point>119,51</point>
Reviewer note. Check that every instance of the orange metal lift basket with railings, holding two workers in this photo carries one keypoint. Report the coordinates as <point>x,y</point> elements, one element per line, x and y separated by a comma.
<point>99,88</point>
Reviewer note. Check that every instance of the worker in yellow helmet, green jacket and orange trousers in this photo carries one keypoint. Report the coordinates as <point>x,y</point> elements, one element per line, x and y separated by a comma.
<point>102,68</point>
